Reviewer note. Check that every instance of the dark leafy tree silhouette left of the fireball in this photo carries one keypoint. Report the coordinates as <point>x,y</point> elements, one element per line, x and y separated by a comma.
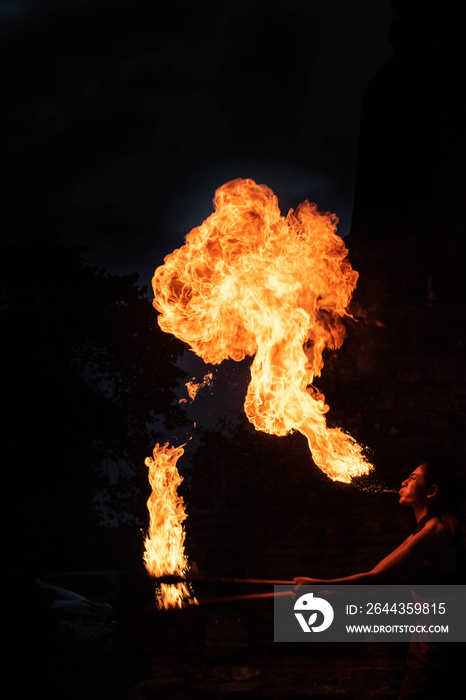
<point>89,380</point>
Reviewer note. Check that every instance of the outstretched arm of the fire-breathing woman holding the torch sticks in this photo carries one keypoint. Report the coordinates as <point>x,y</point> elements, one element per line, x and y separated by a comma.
<point>412,552</point>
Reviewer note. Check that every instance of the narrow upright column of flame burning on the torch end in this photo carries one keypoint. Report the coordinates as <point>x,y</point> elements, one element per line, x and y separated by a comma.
<point>164,545</point>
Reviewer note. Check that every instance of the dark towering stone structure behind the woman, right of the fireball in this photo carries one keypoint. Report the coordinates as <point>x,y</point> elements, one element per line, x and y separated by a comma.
<point>407,354</point>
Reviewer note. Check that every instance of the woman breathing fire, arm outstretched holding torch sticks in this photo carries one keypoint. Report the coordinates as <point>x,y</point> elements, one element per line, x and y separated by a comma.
<point>433,554</point>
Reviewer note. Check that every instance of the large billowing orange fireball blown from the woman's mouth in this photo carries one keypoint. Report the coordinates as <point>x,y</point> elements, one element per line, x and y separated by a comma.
<point>250,282</point>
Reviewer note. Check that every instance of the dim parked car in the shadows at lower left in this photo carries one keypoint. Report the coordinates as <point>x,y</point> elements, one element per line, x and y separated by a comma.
<point>79,617</point>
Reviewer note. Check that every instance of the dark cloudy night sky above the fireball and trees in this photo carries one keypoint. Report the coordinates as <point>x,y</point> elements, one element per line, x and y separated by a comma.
<point>120,118</point>
